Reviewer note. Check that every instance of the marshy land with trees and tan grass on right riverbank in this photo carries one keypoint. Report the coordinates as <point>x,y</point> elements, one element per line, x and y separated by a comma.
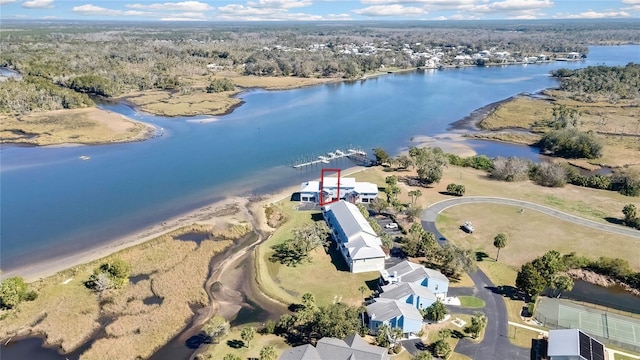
<point>598,104</point>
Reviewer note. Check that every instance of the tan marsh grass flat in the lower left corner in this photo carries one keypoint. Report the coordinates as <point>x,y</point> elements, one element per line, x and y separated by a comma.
<point>136,320</point>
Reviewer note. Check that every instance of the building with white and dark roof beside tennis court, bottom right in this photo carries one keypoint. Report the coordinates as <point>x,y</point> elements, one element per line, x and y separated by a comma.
<point>573,344</point>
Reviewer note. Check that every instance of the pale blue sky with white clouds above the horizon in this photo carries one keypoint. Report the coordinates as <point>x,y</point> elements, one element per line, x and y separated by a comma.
<point>317,10</point>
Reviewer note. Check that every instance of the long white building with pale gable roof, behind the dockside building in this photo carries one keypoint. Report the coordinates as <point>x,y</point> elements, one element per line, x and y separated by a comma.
<point>357,242</point>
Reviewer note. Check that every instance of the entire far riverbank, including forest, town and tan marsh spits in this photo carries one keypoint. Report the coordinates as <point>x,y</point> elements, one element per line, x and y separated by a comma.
<point>196,70</point>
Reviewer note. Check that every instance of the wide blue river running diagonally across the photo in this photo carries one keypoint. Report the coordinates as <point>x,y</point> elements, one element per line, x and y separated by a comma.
<point>52,203</point>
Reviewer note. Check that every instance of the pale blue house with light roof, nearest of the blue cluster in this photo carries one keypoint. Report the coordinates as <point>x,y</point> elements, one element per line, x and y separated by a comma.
<point>395,314</point>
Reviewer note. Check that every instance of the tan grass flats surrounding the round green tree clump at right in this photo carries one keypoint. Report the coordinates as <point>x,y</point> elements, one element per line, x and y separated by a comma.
<point>611,121</point>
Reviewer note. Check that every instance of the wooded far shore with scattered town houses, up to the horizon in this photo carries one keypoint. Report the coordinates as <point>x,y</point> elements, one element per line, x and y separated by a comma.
<point>63,62</point>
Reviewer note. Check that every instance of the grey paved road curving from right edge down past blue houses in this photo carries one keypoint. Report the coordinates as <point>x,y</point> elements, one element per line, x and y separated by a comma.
<point>495,344</point>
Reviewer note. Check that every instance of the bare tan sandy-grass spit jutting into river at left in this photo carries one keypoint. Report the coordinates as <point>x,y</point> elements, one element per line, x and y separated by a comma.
<point>86,126</point>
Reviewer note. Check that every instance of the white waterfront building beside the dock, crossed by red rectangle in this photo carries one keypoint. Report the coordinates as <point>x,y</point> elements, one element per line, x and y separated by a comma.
<point>350,190</point>
